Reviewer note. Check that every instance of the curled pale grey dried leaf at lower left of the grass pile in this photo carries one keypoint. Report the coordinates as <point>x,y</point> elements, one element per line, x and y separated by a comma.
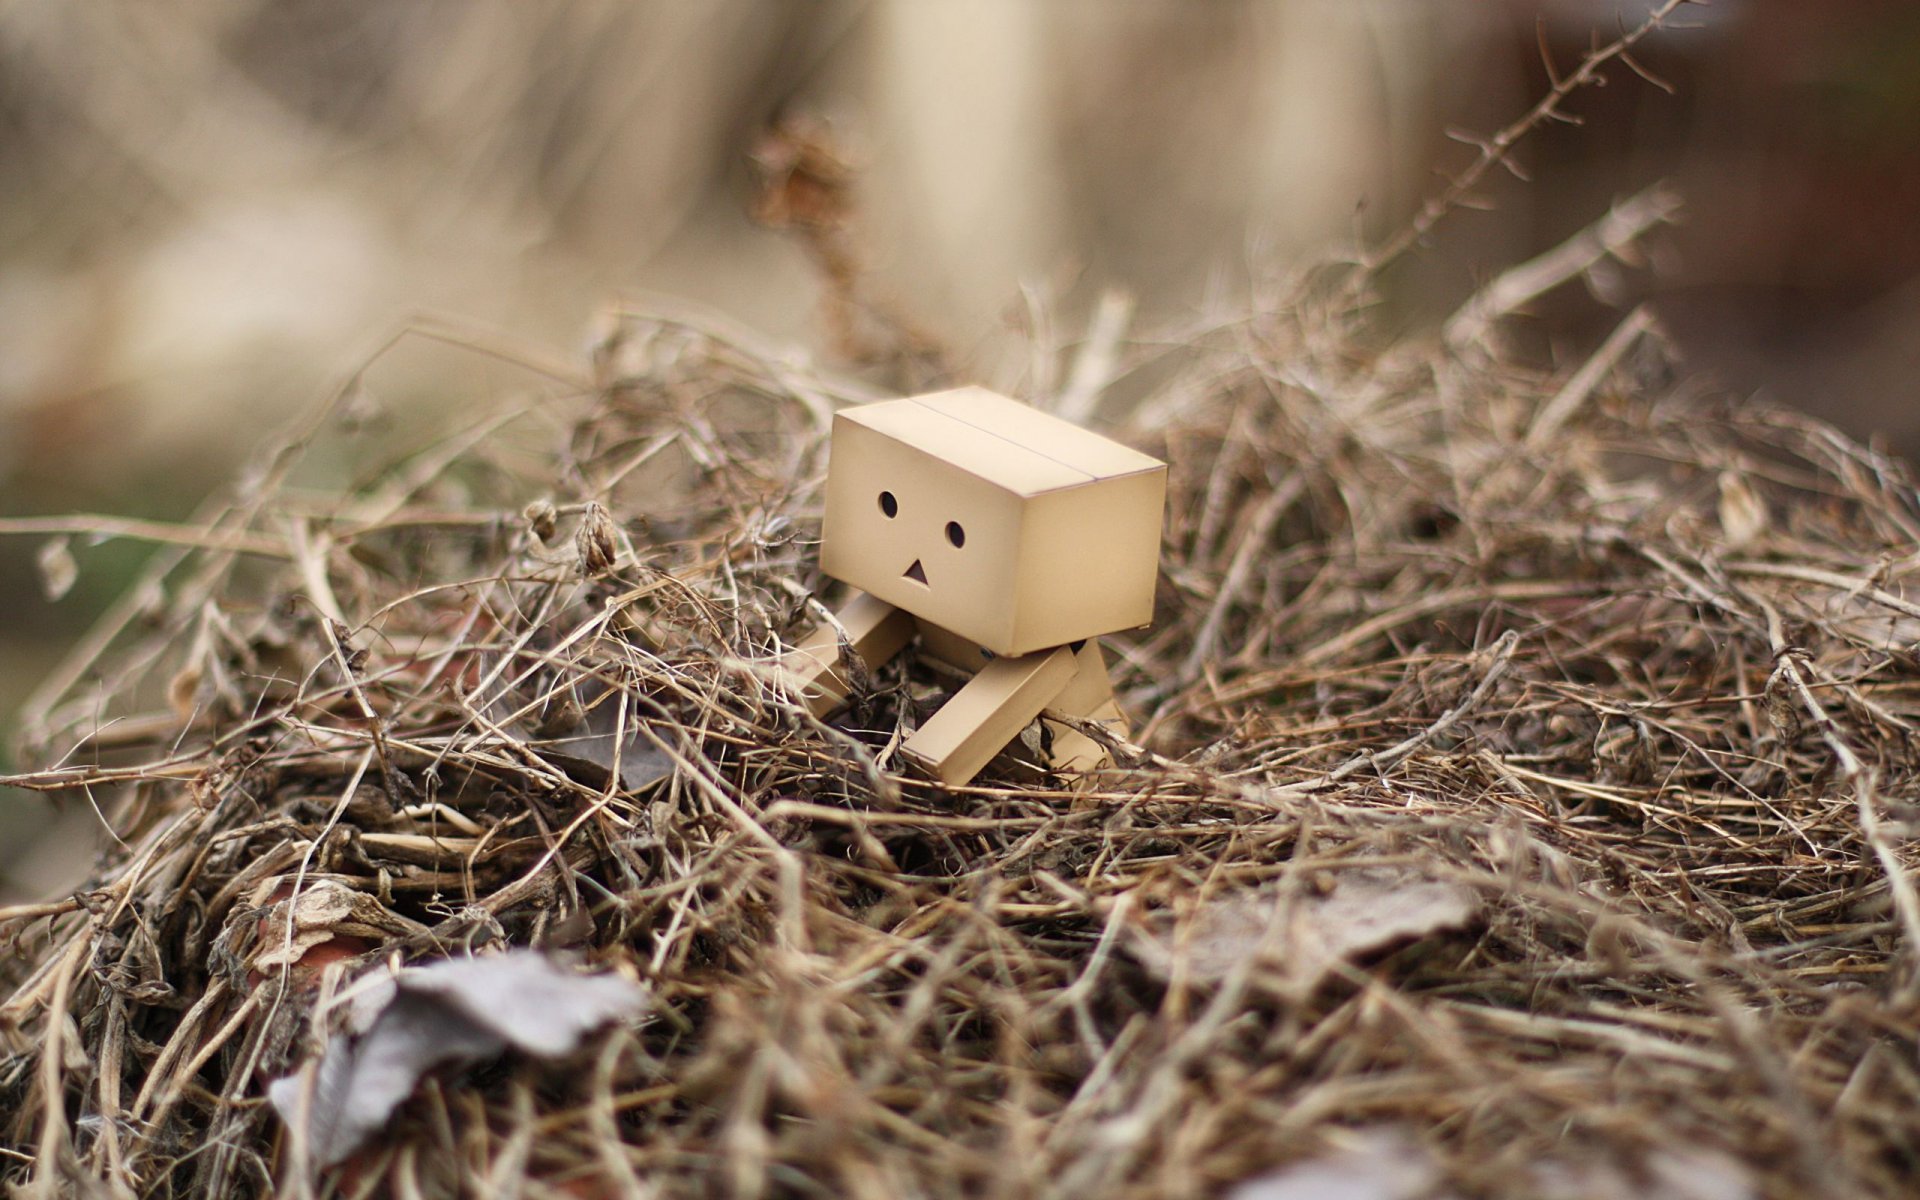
<point>444,1015</point>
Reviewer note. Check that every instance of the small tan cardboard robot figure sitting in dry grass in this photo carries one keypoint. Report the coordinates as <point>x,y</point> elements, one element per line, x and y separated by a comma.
<point>1007,540</point>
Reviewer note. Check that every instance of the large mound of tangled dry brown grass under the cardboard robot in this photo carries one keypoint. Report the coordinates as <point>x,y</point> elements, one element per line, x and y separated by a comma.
<point>1522,805</point>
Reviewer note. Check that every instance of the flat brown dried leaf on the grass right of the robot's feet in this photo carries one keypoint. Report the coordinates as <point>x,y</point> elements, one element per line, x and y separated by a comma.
<point>1308,938</point>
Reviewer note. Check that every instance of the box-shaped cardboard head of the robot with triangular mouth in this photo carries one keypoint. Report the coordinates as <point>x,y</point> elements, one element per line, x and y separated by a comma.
<point>992,519</point>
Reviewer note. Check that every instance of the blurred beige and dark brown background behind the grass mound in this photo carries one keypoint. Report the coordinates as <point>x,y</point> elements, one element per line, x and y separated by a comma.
<point>214,210</point>
